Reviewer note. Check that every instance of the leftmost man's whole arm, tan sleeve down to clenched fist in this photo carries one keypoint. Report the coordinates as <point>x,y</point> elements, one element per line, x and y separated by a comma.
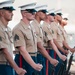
<point>7,55</point>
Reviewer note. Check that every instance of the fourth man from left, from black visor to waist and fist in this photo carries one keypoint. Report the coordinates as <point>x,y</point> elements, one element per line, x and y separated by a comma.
<point>49,38</point>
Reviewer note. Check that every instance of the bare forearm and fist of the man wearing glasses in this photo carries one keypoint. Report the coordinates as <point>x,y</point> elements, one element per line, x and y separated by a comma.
<point>28,58</point>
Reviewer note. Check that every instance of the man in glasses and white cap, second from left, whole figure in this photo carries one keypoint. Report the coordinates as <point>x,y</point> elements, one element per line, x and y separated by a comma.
<point>25,41</point>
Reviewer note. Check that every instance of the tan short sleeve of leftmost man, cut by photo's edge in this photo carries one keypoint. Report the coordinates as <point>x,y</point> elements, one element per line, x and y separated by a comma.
<point>3,40</point>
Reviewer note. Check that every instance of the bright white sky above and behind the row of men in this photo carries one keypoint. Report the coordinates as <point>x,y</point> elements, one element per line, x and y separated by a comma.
<point>67,6</point>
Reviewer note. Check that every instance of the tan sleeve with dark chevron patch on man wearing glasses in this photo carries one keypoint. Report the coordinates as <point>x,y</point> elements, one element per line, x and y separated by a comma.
<point>18,38</point>
